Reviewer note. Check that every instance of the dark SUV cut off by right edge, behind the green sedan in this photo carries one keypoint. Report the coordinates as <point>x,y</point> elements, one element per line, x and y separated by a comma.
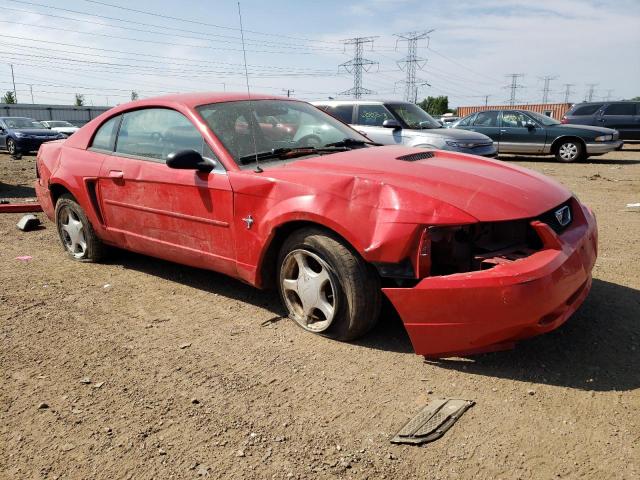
<point>621,116</point>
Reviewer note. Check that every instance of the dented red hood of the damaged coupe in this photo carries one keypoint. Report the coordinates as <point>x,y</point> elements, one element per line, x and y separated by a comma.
<point>487,190</point>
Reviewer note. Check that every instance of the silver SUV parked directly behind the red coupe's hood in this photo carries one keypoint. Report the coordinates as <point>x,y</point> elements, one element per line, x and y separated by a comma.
<point>403,123</point>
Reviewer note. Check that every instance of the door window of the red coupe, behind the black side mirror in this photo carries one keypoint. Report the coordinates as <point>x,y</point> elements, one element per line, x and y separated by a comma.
<point>157,132</point>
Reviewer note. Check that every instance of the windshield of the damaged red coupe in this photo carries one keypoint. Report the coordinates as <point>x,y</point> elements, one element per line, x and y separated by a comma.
<point>276,125</point>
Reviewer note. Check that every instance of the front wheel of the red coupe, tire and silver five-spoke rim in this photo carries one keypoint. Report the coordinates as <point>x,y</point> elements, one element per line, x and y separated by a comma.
<point>326,287</point>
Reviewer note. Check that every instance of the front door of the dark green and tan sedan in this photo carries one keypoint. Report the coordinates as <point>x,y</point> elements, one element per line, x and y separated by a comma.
<point>519,133</point>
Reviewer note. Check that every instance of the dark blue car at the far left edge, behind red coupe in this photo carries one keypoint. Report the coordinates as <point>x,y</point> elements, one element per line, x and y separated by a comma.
<point>23,135</point>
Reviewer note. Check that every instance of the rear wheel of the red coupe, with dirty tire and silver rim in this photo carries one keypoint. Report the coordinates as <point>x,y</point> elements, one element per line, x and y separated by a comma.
<point>76,233</point>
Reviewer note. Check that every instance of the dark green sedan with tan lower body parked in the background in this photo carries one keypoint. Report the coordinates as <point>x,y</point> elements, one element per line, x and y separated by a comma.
<point>530,133</point>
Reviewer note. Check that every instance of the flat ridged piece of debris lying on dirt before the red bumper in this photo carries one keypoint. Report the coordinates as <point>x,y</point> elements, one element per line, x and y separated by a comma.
<point>433,421</point>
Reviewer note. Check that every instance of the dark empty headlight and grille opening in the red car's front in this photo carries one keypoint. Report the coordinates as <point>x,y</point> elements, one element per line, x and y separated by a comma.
<point>481,246</point>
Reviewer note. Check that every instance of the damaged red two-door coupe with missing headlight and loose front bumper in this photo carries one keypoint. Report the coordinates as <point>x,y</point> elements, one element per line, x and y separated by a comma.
<point>473,253</point>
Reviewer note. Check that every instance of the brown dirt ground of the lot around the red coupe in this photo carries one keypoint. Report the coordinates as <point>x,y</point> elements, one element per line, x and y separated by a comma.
<point>153,370</point>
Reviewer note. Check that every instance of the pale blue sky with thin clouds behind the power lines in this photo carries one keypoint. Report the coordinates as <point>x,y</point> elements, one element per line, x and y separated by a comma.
<point>104,49</point>
